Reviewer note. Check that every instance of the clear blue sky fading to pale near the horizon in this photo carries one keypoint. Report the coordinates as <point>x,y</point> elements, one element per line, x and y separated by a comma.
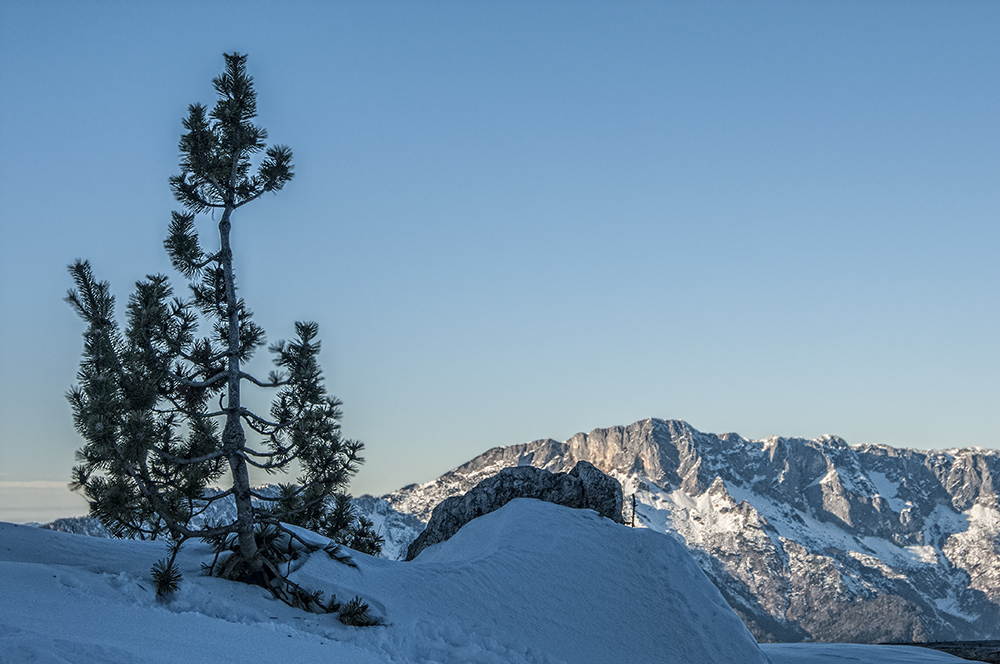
<point>519,220</point>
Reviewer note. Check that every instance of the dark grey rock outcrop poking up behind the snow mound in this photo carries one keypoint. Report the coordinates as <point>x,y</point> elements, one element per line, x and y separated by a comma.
<point>583,487</point>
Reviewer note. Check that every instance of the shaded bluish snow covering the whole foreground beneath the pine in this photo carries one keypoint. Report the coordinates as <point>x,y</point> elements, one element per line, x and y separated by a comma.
<point>531,582</point>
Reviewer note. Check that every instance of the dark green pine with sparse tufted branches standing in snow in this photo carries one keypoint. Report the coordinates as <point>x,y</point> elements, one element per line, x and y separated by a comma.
<point>160,406</point>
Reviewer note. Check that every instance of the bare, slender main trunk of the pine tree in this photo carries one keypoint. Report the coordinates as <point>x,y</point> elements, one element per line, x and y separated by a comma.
<point>233,437</point>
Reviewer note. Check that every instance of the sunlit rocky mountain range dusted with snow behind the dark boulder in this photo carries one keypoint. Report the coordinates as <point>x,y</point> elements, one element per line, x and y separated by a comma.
<point>805,538</point>
